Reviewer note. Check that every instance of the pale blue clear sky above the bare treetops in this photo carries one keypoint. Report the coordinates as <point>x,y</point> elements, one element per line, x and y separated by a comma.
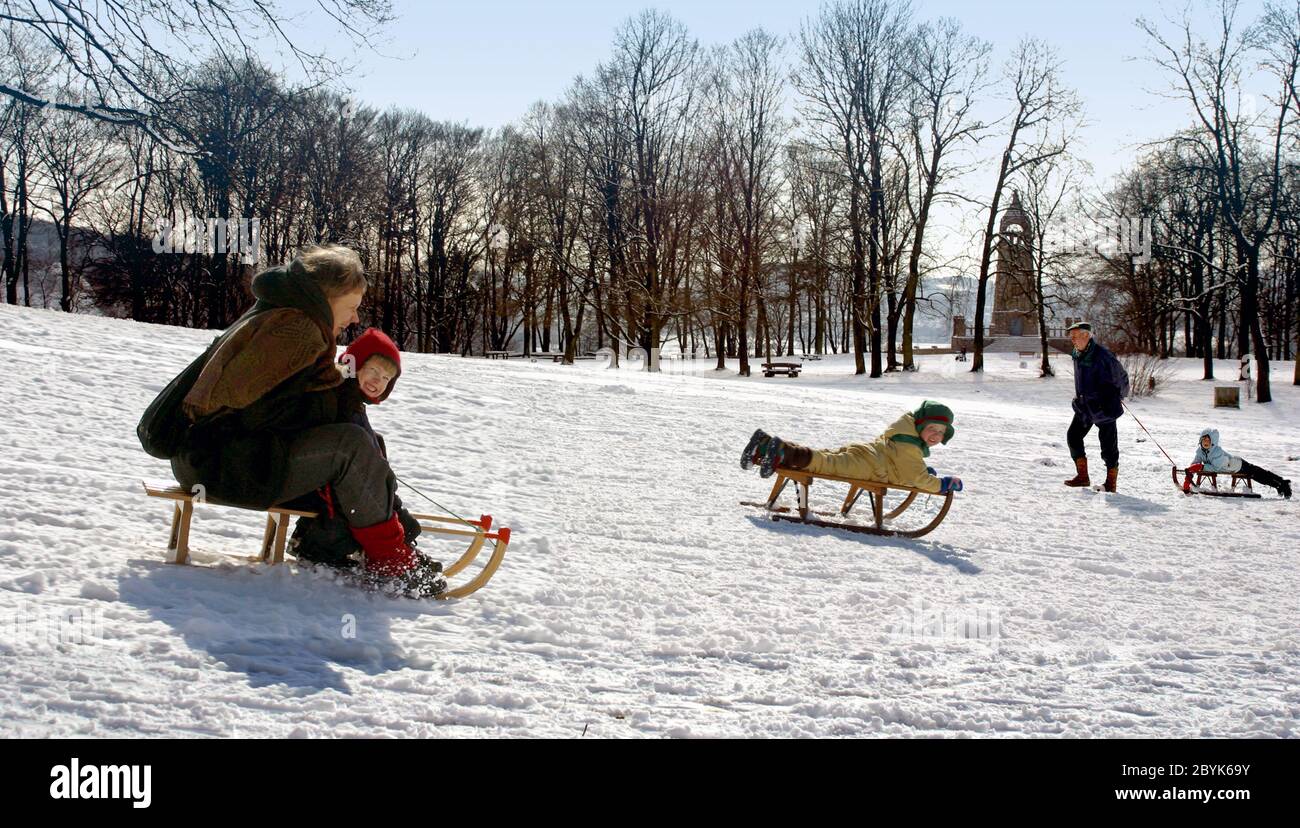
<point>487,62</point>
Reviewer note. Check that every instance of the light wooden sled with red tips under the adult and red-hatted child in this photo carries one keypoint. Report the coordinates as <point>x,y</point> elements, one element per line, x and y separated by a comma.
<point>278,530</point>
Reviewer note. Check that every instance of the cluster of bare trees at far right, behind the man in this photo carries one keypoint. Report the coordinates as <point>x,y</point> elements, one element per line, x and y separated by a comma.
<point>1223,197</point>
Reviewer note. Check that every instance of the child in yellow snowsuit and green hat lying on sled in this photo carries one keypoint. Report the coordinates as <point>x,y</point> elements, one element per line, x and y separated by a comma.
<point>896,458</point>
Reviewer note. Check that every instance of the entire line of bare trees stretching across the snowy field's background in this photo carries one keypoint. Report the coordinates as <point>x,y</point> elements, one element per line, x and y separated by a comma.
<point>668,198</point>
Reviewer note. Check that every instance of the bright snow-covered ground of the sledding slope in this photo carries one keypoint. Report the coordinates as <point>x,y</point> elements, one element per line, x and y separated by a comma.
<point>639,599</point>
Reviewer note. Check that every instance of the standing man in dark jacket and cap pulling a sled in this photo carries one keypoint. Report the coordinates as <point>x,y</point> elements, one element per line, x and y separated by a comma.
<point>1100,384</point>
